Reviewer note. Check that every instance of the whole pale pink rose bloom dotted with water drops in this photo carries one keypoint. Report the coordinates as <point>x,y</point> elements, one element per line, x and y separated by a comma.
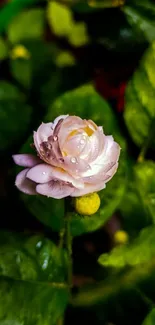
<point>74,158</point>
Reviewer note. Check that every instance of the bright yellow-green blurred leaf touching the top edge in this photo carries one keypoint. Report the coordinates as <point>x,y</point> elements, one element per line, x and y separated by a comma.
<point>59,18</point>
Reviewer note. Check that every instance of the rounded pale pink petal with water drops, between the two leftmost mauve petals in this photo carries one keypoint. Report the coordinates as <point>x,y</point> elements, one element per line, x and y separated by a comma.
<point>41,173</point>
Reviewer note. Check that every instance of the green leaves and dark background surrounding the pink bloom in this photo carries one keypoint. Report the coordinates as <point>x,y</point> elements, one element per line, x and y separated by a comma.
<point>94,59</point>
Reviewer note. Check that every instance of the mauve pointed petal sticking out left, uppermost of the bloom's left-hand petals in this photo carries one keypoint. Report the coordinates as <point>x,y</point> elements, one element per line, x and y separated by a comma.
<point>26,160</point>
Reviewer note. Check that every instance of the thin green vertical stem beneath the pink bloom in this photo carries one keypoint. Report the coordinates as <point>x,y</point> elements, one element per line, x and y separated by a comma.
<point>69,249</point>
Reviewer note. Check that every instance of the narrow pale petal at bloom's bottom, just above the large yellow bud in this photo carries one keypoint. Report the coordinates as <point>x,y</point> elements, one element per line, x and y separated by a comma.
<point>89,188</point>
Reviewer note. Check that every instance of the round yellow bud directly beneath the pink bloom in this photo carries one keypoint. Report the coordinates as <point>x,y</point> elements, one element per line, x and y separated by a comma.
<point>87,204</point>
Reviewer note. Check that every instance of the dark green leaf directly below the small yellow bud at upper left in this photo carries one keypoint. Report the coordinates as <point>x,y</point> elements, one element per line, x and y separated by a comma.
<point>21,70</point>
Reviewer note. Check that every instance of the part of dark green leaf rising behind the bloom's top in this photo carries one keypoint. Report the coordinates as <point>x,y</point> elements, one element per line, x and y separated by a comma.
<point>86,103</point>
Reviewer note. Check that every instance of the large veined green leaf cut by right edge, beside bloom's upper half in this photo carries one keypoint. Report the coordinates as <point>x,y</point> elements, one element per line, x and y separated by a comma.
<point>140,99</point>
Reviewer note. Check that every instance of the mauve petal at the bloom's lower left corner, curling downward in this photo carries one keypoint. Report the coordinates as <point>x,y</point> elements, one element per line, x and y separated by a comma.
<point>24,184</point>
